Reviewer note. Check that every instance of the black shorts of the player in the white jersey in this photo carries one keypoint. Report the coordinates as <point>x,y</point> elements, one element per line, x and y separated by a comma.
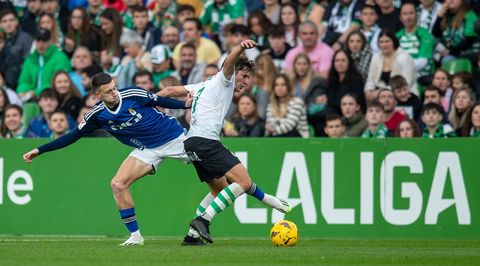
<point>210,158</point>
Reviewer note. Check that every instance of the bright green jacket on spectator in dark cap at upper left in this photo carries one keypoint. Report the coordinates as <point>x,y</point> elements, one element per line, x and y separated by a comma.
<point>54,60</point>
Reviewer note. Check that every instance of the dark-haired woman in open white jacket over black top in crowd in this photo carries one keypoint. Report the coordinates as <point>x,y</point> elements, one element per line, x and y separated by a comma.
<point>391,61</point>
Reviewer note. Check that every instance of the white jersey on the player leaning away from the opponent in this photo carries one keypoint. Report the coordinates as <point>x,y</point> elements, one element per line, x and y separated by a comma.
<point>211,101</point>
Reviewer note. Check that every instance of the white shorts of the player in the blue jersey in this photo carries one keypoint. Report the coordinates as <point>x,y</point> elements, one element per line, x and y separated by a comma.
<point>172,149</point>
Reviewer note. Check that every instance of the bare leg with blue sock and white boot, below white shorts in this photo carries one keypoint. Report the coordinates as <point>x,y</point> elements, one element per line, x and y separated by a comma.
<point>130,171</point>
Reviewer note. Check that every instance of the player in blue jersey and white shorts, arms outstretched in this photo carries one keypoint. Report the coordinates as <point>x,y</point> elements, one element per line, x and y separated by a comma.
<point>130,116</point>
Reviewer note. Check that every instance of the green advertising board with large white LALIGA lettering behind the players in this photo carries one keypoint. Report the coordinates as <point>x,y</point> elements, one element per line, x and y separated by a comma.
<point>339,188</point>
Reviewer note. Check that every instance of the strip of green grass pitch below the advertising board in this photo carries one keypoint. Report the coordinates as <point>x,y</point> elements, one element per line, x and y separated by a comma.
<point>167,251</point>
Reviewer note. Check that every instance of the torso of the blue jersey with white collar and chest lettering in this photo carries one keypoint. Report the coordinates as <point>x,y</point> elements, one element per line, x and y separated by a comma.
<point>134,122</point>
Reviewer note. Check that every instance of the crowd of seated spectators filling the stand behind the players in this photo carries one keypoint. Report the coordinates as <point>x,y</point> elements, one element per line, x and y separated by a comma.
<point>345,68</point>
